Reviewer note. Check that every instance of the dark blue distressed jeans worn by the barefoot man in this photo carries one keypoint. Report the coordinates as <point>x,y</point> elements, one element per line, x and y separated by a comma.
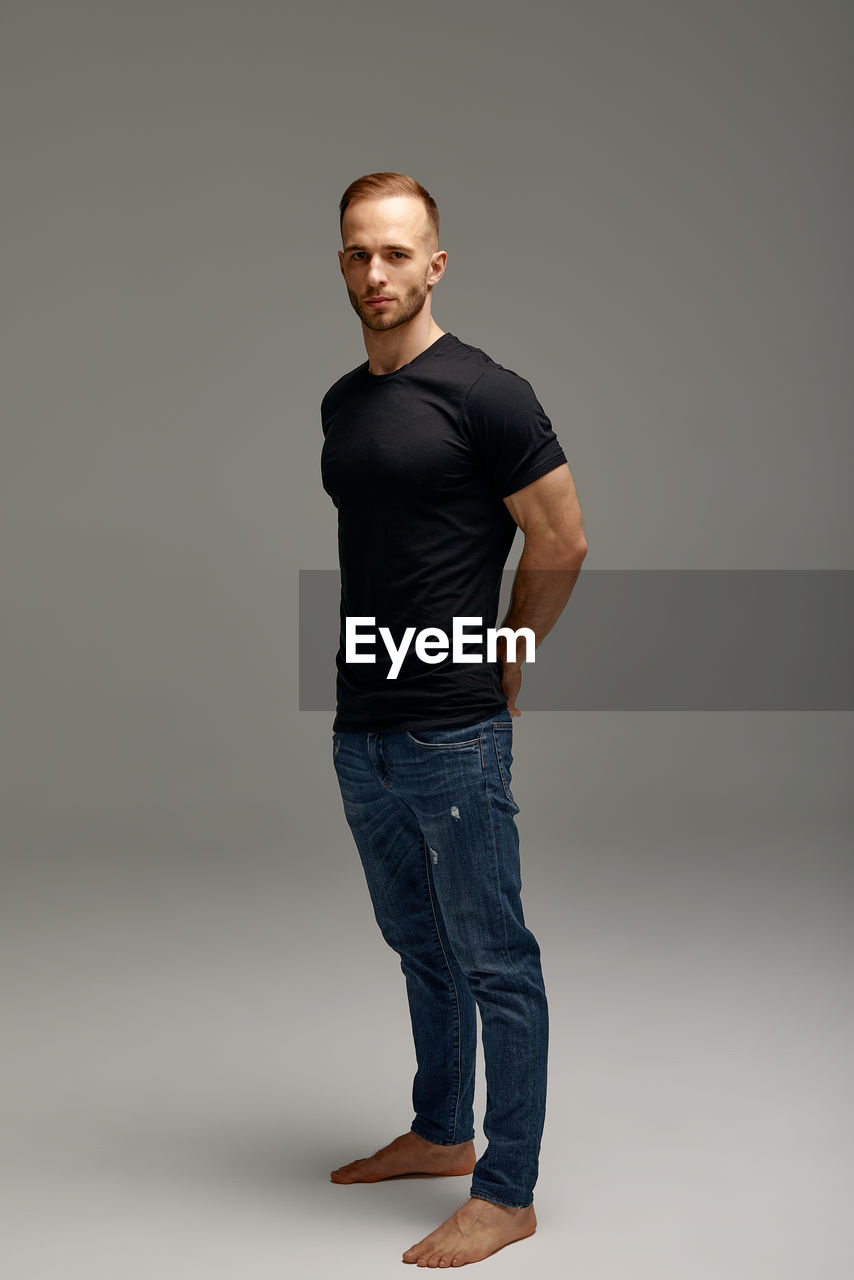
<point>433,819</point>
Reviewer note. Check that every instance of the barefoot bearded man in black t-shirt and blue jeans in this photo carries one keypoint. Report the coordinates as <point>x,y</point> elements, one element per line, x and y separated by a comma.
<point>433,455</point>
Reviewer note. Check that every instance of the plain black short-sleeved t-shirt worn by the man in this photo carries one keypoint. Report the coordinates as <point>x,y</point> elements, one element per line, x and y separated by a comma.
<point>418,463</point>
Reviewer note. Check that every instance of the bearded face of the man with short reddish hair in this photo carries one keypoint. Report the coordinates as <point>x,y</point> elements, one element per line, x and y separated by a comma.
<point>390,262</point>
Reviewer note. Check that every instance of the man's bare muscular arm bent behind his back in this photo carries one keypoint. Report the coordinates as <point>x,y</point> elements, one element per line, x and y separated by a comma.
<point>549,514</point>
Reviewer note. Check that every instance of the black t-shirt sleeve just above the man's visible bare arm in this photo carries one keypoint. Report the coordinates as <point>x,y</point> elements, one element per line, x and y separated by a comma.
<point>510,432</point>
